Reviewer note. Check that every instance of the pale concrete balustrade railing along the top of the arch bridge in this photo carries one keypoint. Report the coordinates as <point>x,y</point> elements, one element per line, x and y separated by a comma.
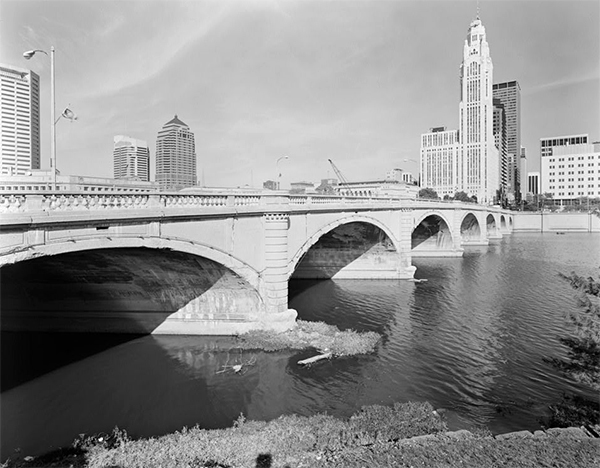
<point>19,208</point>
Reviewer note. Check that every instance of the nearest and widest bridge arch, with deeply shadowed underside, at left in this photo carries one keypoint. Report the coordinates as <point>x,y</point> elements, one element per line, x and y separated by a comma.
<point>132,285</point>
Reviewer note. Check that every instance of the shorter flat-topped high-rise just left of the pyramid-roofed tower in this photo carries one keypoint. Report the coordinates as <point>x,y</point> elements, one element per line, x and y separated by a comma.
<point>131,158</point>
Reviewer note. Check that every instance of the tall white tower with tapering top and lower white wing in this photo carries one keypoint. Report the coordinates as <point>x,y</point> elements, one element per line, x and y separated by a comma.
<point>472,165</point>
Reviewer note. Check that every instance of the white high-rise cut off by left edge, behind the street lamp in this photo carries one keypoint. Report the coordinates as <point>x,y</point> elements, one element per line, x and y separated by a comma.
<point>20,121</point>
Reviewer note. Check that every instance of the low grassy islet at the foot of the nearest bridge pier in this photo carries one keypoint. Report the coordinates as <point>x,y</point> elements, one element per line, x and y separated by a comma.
<point>318,335</point>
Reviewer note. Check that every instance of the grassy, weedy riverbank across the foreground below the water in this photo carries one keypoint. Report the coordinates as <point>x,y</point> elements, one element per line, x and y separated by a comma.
<point>411,434</point>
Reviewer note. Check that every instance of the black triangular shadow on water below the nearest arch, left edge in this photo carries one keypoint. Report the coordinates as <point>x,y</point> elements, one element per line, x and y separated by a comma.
<point>27,356</point>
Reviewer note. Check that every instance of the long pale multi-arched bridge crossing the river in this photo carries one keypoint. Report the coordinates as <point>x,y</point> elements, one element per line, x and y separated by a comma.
<point>208,263</point>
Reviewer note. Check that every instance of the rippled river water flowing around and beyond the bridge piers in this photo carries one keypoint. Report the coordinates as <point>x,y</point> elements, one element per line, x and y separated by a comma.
<point>470,339</point>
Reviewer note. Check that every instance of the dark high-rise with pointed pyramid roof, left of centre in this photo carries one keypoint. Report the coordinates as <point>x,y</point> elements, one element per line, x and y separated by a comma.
<point>175,156</point>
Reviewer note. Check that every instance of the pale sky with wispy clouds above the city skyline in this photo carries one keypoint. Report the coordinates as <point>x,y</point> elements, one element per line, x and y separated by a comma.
<point>357,81</point>
